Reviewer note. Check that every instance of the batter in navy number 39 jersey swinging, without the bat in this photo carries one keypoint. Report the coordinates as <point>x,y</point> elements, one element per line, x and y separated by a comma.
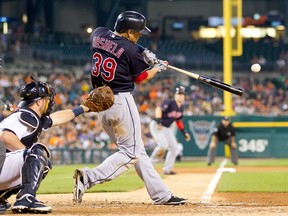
<point>119,62</point>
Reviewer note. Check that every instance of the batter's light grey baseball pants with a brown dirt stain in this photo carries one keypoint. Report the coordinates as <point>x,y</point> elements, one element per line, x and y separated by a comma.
<point>122,123</point>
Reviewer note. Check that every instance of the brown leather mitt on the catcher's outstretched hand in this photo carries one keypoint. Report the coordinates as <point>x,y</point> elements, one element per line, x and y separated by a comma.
<point>99,99</point>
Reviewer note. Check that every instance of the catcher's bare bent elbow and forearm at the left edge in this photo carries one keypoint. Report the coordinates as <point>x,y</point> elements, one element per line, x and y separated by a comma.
<point>11,141</point>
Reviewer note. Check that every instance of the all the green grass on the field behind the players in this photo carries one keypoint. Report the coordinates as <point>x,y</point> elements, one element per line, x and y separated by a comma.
<point>60,178</point>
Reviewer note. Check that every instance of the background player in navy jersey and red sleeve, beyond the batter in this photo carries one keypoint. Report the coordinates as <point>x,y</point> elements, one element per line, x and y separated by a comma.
<point>161,130</point>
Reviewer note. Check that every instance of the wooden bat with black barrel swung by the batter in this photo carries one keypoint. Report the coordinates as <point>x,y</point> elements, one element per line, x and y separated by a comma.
<point>213,82</point>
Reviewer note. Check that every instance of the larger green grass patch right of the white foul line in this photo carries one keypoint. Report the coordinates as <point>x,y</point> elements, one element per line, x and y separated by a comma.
<point>253,182</point>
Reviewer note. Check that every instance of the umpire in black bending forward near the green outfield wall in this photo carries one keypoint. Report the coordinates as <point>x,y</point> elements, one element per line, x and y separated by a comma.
<point>223,132</point>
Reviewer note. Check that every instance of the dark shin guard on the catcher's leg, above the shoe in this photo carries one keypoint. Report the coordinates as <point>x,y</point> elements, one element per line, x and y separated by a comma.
<point>34,169</point>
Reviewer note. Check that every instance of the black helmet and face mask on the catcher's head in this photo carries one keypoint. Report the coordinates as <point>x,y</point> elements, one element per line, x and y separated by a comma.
<point>34,91</point>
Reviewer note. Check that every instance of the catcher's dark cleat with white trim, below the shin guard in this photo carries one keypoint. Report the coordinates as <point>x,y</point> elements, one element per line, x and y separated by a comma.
<point>28,204</point>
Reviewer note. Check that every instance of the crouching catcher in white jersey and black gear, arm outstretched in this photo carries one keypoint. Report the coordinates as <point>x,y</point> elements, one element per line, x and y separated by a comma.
<point>27,162</point>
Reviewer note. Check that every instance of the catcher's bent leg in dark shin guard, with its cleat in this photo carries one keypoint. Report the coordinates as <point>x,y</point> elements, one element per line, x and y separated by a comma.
<point>35,168</point>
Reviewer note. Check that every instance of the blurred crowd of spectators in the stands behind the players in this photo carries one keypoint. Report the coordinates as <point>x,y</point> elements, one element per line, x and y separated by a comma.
<point>265,96</point>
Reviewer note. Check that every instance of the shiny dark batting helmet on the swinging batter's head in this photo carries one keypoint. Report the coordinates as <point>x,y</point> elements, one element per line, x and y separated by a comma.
<point>131,20</point>
